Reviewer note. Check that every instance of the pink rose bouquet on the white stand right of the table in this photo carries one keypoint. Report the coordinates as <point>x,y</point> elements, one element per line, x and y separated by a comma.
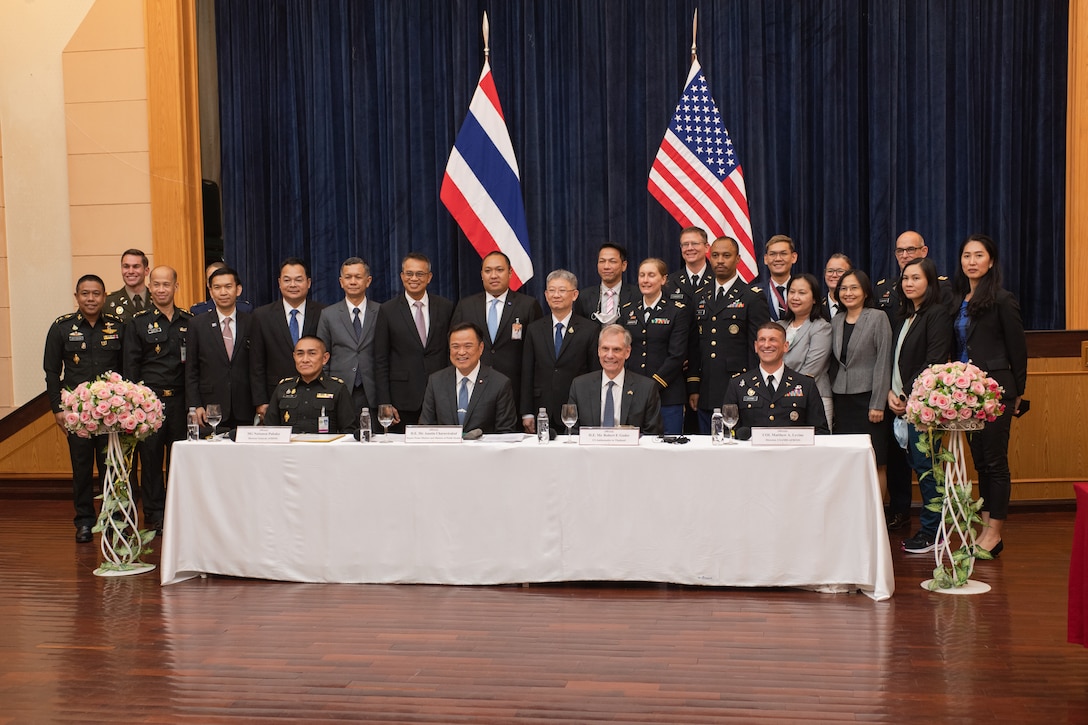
<point>951,394</point>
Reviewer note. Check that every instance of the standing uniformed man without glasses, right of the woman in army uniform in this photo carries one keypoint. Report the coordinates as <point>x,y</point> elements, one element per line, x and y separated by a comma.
<point>727,313</point>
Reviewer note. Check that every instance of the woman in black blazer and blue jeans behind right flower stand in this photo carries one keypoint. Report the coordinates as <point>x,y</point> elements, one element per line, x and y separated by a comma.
<point>922,337</point>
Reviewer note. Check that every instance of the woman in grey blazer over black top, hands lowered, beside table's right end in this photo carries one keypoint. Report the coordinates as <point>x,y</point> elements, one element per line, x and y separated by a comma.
<point>861,371</point>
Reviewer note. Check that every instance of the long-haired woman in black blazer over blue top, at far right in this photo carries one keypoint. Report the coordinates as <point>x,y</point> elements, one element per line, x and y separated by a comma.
<point>990,333</point>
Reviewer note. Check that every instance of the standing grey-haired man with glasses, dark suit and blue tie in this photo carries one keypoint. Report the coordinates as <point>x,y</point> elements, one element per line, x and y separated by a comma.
<point>560,348</point>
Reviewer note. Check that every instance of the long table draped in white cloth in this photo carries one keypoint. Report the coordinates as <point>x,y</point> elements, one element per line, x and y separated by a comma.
<point>481,513</point>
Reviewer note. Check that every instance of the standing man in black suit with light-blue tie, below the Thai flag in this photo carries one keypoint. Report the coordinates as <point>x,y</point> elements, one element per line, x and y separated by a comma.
<point>503,314</point>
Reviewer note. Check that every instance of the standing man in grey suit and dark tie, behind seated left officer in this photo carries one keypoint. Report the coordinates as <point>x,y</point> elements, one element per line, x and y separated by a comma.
<point>348,329</point>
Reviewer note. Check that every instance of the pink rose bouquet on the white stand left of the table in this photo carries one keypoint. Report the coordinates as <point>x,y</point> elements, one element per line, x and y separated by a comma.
<point>112,405</point>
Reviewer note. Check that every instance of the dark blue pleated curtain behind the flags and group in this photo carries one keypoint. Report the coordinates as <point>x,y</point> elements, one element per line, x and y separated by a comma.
<point>855,120</point>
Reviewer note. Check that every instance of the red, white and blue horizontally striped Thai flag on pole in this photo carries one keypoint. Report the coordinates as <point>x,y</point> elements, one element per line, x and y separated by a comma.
<point>483,187</point>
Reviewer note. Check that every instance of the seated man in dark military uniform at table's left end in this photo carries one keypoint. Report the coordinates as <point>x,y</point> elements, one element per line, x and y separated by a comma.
<point>303,401</point>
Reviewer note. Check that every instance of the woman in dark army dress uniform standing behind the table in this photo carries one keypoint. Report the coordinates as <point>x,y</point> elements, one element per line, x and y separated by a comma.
<point>660,329</point>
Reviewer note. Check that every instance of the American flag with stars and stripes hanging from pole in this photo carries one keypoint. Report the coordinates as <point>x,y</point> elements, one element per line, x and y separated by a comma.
<point>697,176</point>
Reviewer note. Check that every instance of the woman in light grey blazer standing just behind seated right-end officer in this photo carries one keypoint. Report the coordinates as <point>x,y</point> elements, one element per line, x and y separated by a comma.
<point>809,336</point>
